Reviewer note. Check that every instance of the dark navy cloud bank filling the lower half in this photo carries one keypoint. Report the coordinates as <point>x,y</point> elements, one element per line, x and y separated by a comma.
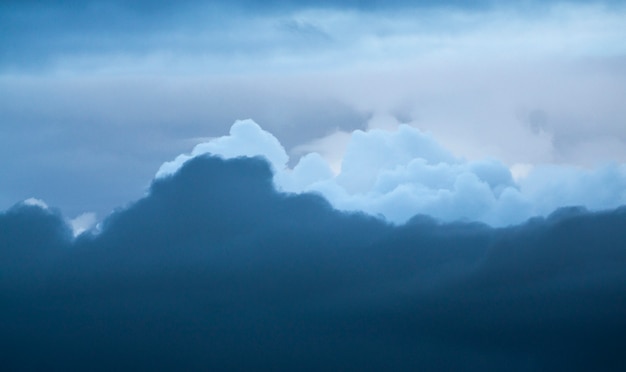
<point>214,270</point>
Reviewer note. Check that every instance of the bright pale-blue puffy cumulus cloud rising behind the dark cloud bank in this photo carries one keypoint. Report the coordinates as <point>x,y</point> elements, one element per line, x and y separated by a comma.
<point>403,172</point>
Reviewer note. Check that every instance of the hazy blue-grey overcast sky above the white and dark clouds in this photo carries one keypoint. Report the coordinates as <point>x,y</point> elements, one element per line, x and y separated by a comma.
<point>96,95</point>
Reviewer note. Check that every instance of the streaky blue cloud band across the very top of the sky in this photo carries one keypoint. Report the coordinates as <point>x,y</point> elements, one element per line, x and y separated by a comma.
<point>119,38</point>
